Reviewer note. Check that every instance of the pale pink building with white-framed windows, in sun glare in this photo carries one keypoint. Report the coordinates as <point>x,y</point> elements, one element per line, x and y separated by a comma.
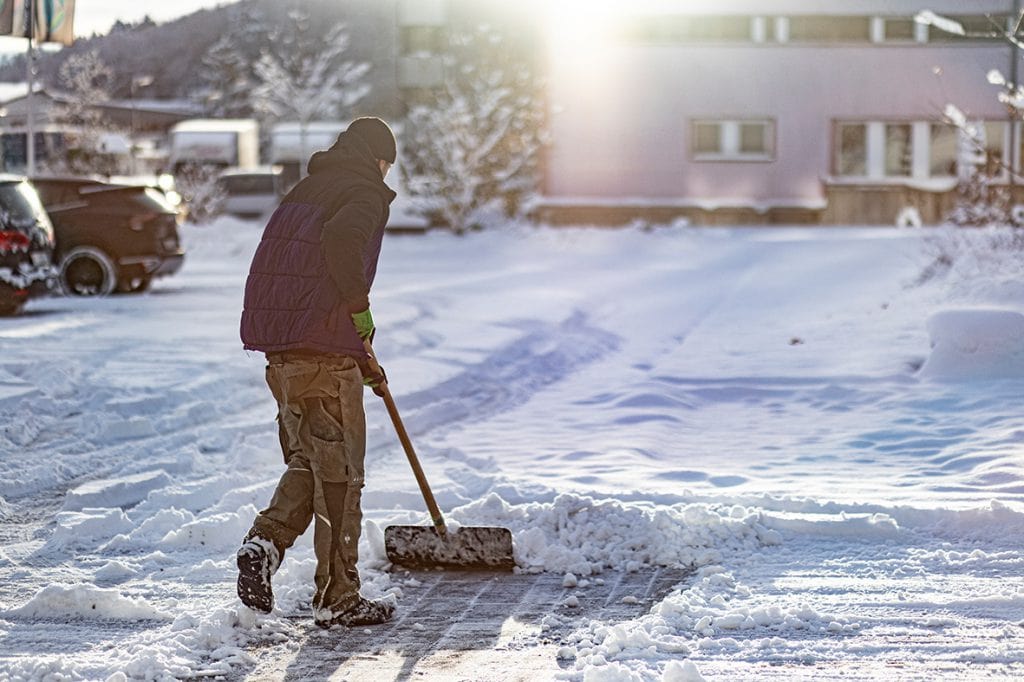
<point>771,111</point>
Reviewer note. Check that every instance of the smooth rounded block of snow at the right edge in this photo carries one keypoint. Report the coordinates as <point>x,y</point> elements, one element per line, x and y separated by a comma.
<point>975,346</point>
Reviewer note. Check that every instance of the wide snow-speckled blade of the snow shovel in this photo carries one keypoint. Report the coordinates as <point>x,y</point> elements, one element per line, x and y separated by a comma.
<point>468,547</point>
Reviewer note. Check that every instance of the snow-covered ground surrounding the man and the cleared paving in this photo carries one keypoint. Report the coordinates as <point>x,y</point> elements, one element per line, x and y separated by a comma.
<point>839,454</point>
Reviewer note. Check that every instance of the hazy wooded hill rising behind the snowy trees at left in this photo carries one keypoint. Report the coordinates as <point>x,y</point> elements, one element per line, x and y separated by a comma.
<point>187,58</point>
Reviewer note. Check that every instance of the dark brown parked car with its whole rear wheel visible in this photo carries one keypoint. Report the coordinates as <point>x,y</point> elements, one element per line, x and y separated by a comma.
<point>111,237</point>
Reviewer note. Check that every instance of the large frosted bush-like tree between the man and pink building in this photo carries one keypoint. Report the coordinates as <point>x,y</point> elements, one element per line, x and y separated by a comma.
<point>474,145</point>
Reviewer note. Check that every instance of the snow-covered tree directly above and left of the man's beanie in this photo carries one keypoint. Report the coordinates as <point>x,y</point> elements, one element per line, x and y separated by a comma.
<point>304,77</point>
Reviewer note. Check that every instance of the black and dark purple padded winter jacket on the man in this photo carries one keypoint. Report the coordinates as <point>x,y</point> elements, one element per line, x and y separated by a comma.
<point>318,259</point>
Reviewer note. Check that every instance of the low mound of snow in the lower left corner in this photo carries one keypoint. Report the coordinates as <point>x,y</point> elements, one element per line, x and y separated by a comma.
<point>87,602</point>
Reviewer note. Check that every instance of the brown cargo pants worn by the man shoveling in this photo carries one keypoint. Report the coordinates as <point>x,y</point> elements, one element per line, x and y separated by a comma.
<point>323,433</point>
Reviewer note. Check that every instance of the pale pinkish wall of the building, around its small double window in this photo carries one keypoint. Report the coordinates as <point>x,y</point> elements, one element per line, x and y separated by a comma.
<point>622,121</point>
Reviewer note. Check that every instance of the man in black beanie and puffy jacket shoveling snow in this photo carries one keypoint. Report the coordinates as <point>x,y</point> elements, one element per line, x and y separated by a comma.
<point>308,308</point>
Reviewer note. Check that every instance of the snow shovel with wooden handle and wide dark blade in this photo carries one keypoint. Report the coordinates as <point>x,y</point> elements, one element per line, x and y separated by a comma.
<point>431,547</point>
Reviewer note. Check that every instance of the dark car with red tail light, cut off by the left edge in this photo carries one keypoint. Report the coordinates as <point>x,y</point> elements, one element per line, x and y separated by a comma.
<point>26,245</point>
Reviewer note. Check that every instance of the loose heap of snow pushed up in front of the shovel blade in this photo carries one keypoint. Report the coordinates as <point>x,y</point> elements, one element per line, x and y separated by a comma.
<point>584,536</point>
